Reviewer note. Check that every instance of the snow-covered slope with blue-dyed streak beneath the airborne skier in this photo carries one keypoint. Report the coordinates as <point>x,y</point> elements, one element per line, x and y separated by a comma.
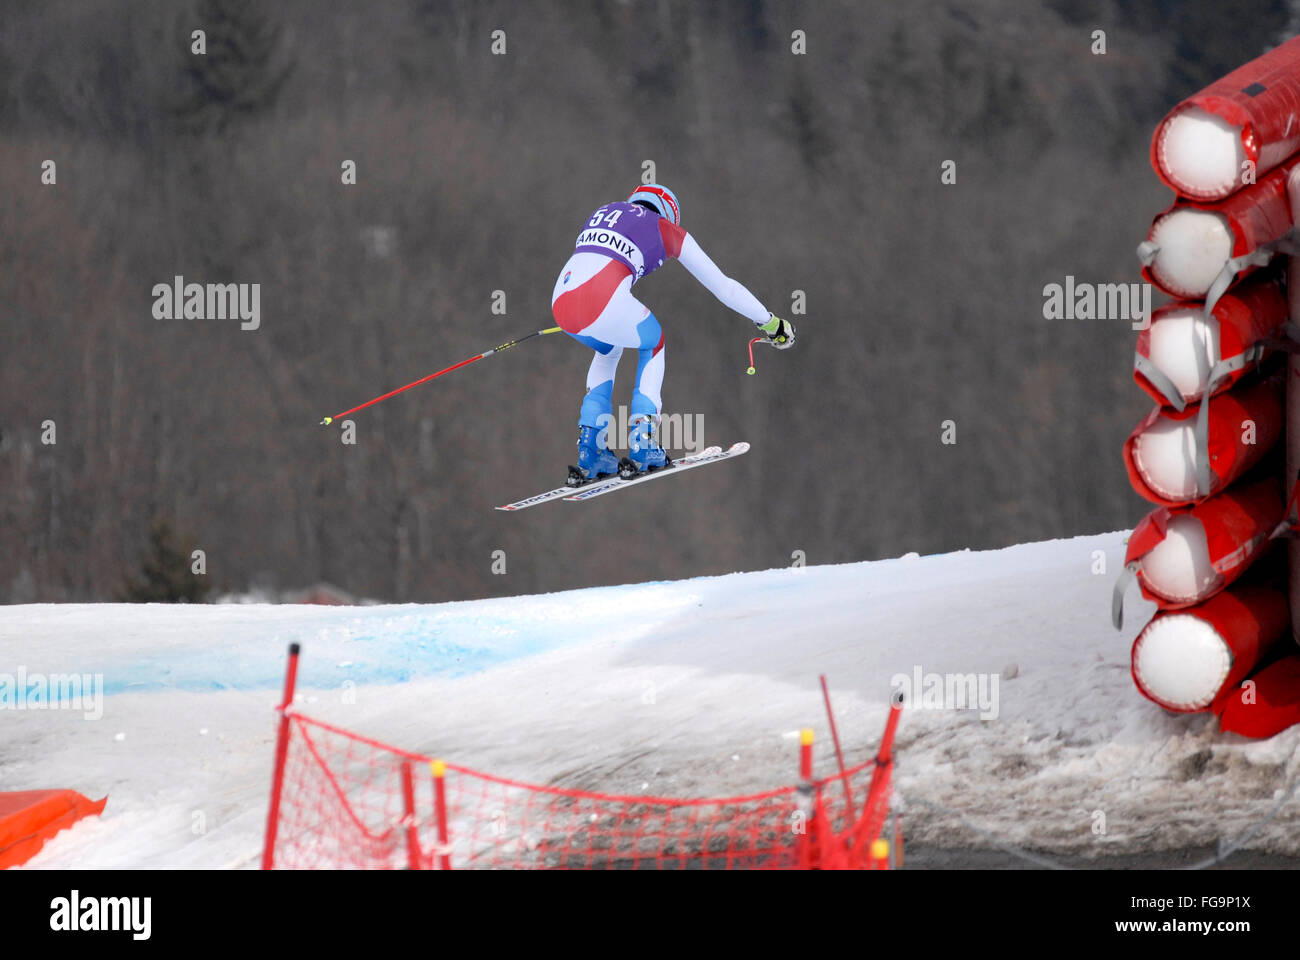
<point>695,687</point>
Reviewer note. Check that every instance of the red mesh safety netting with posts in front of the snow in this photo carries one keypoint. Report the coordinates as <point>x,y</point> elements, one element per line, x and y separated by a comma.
<point>343,801</point>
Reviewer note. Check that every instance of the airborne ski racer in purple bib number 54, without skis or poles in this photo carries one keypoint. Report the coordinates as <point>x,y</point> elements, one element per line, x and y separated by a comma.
<point>593,304</point>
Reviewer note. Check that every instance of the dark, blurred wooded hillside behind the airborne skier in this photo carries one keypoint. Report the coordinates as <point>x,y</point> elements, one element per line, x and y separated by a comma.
<point>817,174</point>
